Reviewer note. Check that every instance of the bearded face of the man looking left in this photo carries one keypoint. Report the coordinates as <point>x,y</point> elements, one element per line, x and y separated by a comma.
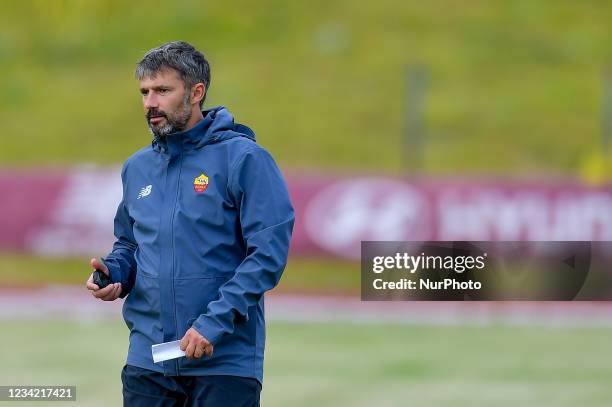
<point>166,103</point>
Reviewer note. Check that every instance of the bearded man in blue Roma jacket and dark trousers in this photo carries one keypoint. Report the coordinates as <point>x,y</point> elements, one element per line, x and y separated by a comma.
<point>202,232</point>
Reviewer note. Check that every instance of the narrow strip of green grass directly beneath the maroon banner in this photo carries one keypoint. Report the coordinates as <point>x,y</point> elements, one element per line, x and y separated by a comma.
<point>301,275</point>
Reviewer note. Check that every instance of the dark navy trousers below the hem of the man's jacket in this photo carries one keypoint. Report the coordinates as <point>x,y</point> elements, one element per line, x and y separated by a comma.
<point>143,387</point>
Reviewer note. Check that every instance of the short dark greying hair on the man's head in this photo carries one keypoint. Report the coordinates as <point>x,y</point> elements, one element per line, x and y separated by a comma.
<point>181,56</point>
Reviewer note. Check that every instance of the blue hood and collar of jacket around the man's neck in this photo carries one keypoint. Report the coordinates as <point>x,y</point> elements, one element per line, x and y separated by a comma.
<point>217,125</point>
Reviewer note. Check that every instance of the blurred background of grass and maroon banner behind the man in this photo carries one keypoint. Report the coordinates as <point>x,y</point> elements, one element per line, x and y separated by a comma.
<point>440,120</point>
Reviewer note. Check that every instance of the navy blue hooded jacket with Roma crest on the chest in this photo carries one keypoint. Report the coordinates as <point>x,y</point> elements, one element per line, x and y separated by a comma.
<point>202,232</point>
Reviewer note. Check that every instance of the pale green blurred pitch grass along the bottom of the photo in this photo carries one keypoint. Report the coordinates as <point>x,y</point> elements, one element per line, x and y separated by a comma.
<point>348,365</point>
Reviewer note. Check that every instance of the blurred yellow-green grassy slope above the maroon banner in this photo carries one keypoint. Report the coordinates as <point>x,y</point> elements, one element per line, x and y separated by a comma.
<point>515,87</point>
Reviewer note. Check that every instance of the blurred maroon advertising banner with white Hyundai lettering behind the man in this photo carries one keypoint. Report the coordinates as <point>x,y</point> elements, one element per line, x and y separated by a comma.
<point>71,213</point>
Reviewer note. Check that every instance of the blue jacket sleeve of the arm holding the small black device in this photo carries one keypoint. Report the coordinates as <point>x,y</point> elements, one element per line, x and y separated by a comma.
<point>120,261</point>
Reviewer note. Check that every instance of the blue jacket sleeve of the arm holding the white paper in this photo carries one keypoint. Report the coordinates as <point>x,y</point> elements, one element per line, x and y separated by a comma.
<point>266,220</point>
